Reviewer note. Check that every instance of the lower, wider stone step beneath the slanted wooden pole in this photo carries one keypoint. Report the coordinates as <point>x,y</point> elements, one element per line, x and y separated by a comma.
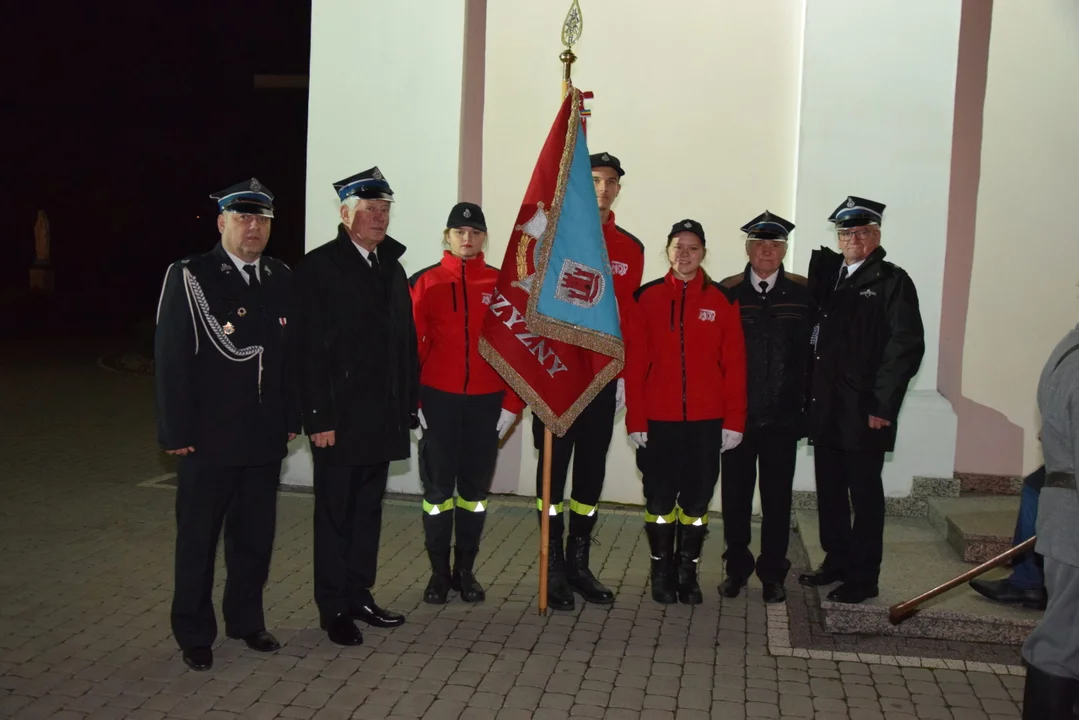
<point>917,559</point>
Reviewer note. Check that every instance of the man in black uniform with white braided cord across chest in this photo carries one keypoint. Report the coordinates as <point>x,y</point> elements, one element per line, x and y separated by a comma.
<point>225,411</point>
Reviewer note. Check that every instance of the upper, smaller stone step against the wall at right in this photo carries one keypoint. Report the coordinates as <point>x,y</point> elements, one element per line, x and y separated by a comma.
<point>977,527</point>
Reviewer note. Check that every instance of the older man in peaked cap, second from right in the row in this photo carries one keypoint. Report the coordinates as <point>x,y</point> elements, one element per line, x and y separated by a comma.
<point>777,314</point>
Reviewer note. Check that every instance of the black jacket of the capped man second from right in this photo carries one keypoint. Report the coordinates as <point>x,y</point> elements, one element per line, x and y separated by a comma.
<point>777,329</point>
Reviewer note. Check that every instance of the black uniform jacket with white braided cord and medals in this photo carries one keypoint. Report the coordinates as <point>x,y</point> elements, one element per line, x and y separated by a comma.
<point>209,397</point>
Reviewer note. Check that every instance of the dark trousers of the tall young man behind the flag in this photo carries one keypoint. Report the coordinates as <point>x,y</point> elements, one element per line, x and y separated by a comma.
<point>588,441</point>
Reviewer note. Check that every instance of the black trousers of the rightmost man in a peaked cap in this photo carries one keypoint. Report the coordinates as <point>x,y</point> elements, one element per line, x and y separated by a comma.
<point>855,549</point>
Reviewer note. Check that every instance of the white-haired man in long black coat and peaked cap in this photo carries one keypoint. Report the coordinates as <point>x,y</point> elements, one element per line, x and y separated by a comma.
<point>359,375</point>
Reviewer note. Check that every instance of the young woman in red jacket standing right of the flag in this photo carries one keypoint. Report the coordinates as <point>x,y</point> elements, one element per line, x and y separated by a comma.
<point>686,403</point>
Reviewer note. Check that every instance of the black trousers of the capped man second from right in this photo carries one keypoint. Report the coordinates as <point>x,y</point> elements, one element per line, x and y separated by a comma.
<point>775,450</point>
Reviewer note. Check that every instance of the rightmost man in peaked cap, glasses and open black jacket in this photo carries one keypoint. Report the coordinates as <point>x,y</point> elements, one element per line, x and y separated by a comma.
<point>869,343</point>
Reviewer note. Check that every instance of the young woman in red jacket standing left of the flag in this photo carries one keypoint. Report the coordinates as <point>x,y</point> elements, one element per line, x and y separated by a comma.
<point>466,407</point>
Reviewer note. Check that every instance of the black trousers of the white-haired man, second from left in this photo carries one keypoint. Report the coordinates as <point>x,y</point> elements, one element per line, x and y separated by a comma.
<point>348,527</point>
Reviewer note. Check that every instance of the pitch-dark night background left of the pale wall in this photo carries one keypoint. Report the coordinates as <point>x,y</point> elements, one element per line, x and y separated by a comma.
<point>127,116</point>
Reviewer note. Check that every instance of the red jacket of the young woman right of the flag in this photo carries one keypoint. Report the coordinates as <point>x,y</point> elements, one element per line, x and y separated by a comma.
<point>686,356</point>
